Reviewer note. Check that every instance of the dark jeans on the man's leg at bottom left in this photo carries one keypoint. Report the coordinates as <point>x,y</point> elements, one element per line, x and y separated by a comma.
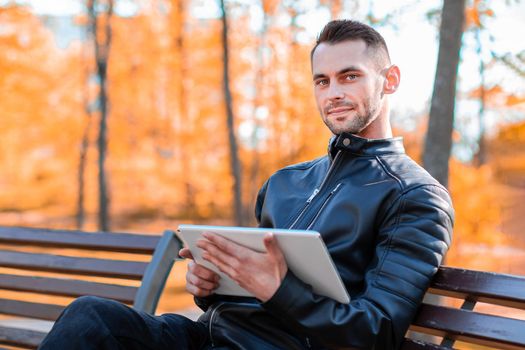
<point>97,323</point>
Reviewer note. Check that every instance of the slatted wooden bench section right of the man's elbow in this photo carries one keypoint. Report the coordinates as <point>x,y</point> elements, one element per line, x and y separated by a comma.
<point>465,324</point>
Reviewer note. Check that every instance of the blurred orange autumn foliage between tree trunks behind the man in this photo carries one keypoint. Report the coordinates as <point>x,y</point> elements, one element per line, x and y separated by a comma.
<point>168,157</point>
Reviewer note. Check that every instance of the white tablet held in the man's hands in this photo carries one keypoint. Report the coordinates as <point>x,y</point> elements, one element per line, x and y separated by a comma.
<point>304,251</point>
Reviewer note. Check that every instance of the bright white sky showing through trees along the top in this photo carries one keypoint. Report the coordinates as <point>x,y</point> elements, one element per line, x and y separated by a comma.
<point>412,41</point>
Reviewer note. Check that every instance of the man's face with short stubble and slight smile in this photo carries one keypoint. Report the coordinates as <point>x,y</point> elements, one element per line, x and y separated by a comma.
<point>347,86</point>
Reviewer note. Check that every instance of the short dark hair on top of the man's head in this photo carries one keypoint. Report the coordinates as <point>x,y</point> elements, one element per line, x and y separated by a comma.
<point>340,30</point>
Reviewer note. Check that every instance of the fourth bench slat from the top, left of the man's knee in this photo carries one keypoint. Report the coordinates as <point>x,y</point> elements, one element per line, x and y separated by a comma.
<point>40,311</point>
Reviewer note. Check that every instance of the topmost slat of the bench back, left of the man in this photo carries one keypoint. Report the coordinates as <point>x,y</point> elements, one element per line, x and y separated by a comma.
<point>115,242</point>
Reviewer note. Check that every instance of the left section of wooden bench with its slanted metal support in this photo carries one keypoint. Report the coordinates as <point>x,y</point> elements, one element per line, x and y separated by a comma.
<point>70,264</point>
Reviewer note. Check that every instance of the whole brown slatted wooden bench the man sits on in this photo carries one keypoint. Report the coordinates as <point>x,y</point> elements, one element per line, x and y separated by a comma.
<point>35,251</point>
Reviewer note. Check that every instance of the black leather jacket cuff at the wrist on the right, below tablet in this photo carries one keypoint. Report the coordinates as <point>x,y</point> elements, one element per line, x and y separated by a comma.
<point>285,297</point>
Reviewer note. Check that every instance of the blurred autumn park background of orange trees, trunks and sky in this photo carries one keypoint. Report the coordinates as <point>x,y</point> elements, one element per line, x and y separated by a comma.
<point>139,115</point>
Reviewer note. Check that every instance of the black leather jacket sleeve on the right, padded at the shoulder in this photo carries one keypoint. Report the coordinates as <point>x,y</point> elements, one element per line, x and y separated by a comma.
<point>410,244</point>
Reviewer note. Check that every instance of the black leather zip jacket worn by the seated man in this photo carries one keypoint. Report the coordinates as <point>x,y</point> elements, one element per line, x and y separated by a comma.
<point>387,225</point>
